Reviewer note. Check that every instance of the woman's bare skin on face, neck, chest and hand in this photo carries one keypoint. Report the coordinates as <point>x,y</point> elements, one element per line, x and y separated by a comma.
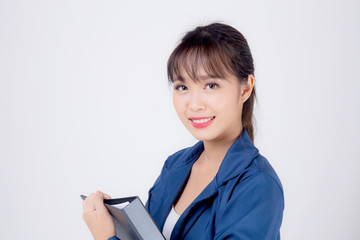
<point>222,98</point>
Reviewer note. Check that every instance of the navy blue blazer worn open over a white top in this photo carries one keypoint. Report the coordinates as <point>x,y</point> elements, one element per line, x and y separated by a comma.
<point>244,201</point>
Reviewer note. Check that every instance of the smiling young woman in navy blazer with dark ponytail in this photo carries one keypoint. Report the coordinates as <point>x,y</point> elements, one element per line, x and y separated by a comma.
<point>221,188</point>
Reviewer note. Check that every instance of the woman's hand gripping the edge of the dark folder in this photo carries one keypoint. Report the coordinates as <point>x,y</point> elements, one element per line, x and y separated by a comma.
<point>97,217</point>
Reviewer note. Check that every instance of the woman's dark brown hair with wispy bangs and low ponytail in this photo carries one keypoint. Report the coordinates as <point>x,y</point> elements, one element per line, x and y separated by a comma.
<point>220,49</point>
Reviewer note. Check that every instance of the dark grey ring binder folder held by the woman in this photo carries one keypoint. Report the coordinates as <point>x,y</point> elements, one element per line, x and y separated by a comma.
<point>132,222</point>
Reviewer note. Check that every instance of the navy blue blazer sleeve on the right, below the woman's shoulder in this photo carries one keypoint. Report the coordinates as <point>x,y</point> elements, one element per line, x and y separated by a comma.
<point>253,210</point>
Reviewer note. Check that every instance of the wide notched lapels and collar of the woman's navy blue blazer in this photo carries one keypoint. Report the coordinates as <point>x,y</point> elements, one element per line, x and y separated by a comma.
<point>237,158</point>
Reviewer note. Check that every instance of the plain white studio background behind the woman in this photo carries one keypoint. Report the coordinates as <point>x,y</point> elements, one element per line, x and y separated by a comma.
<point>85,105</point>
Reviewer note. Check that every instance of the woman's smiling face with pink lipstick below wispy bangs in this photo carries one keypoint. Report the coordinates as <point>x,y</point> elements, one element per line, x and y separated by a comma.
<point>210,108</point>
